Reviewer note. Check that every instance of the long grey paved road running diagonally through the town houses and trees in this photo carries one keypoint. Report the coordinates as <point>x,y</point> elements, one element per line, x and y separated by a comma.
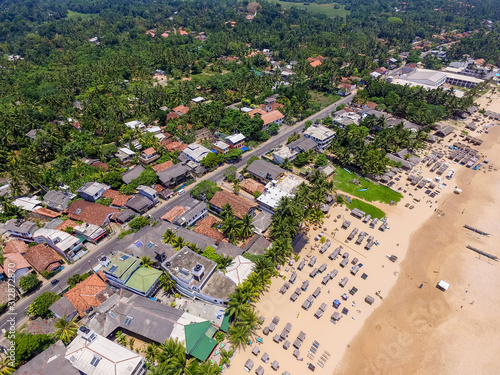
<point>106,246</point>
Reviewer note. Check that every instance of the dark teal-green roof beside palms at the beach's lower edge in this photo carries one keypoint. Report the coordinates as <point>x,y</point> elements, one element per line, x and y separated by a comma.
<point>199,339</point>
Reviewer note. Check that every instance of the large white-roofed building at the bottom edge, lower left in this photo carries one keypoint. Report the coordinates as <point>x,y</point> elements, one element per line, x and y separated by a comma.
<point>92,354</point>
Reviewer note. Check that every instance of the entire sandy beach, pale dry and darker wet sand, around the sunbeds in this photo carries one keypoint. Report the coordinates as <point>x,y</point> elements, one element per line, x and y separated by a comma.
<point>408,330</point>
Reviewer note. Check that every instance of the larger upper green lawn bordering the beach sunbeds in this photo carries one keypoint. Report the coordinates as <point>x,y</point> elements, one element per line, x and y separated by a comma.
<point>374,193</point>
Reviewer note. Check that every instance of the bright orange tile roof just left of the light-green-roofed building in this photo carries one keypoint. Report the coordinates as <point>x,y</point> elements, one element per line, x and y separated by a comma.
<point>88,293</point>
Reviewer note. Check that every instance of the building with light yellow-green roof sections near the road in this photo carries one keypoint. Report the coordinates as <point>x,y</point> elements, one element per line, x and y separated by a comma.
<point>125,271</point>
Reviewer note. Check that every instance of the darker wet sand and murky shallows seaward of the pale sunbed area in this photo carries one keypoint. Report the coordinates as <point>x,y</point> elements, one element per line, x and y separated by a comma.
<point>427,331</point>
